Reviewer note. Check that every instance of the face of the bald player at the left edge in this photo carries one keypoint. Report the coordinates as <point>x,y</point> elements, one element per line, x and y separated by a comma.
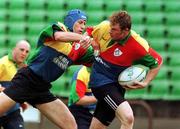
<point>21,52</point>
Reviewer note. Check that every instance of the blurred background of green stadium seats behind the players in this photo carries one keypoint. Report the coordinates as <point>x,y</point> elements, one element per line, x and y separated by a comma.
<point>158,21</point>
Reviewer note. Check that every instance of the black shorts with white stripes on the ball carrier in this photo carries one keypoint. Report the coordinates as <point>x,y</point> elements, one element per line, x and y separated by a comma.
<point>109,97</point>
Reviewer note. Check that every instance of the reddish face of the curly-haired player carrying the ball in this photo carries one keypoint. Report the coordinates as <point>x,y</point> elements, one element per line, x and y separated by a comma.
<point>117,33</point>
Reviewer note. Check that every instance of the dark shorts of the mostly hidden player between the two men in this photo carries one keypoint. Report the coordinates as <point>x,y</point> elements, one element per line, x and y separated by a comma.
<point>82,116</point>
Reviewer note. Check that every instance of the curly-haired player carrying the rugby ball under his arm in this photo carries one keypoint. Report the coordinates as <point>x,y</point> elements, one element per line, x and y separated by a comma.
<point>119,48</point>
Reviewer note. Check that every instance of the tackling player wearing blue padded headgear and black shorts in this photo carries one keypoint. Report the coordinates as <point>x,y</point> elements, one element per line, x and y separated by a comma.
<point>53,55</point>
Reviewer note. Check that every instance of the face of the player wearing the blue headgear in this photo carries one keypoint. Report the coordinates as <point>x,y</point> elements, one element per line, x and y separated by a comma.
<point>79,26</point>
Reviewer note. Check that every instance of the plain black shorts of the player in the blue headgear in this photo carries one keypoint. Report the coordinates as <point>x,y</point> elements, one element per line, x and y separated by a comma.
<point>28,87</point>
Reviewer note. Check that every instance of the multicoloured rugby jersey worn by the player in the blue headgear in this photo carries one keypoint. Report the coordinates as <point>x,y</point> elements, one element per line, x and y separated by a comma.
<point>52,57</point>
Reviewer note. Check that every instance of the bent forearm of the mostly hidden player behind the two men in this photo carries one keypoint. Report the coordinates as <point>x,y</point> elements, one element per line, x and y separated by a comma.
<point>86,100</point>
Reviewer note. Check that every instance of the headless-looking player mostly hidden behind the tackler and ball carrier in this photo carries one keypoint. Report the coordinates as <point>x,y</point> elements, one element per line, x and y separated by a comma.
<point>81,100</point>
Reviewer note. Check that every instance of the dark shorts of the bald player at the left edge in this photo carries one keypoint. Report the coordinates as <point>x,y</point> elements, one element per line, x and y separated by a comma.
<point>13,120</point>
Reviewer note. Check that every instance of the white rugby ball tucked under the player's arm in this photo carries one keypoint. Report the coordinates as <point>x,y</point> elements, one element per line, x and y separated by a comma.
<point>131,74</point>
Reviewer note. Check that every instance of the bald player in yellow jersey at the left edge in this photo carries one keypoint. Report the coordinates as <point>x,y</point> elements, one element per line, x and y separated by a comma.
<point>9,64</point>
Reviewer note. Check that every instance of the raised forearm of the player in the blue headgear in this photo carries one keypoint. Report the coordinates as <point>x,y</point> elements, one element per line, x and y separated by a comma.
<point>67,36</point>
